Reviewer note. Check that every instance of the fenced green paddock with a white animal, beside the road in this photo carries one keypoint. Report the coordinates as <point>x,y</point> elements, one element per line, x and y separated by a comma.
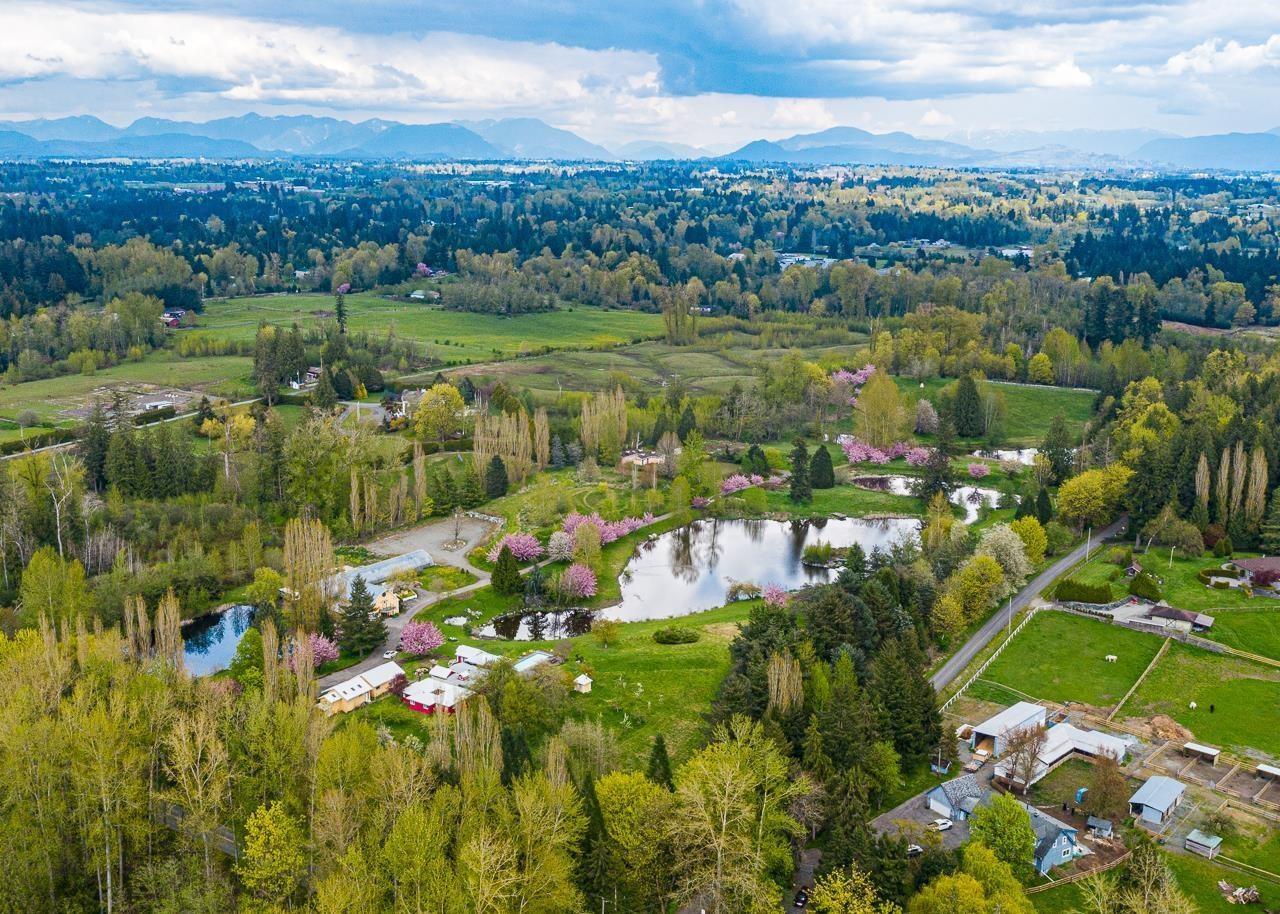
<point>1060,657</point>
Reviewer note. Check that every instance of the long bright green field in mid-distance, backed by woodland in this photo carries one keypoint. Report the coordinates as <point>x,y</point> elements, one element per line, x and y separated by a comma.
<point>451,336</point>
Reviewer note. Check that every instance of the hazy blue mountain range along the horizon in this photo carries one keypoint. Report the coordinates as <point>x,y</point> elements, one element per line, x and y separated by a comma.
<point>257,136</point>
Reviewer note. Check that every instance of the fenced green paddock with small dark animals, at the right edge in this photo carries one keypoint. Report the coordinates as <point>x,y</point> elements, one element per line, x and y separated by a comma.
<point>1245,696</point>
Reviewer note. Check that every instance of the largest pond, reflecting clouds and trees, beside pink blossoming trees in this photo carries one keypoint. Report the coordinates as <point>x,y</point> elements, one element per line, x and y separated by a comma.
<point>692,569</point>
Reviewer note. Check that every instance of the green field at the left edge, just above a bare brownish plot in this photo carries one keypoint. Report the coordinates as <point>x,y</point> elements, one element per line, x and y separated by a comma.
<point>217,376</point>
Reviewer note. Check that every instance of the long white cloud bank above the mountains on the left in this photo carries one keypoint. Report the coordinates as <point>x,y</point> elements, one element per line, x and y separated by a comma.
<point>268,63</point>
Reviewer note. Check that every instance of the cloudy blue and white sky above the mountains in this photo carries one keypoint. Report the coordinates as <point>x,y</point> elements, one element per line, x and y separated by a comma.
<point>702,72</point>
